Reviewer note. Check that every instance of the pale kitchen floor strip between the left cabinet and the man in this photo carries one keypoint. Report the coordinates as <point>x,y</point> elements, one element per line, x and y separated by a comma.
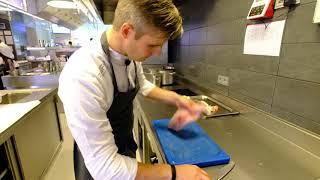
<point>62,167</point>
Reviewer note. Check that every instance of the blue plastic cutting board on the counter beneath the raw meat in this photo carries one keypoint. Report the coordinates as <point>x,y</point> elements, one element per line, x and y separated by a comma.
<point>191,145</point>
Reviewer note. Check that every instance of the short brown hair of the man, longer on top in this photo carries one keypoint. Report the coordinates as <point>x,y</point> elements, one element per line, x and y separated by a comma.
<point>161,14</point>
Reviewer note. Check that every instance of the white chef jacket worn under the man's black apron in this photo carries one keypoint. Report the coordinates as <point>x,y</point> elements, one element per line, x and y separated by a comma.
<point>86,90</point>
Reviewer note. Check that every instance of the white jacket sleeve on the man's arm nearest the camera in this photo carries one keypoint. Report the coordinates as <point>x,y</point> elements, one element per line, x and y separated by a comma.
<point>86,98</point>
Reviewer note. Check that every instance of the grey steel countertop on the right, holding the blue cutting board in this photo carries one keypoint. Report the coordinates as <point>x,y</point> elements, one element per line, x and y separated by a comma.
<point>262,146</point>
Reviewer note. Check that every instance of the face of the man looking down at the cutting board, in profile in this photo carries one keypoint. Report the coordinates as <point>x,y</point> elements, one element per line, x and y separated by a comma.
<point>147,45</point>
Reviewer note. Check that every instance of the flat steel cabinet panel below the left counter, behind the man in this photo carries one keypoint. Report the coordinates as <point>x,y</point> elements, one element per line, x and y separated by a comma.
<point>38,140</point>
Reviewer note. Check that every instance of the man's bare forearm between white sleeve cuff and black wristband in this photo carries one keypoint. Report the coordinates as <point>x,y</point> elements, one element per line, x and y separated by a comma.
<point>153,172</point>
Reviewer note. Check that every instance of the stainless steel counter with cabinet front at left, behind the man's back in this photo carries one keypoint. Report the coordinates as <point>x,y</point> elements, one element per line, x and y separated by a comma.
<point>35,135</point>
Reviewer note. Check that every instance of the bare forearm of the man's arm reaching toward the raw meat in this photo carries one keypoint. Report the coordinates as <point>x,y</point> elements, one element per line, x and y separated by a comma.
<point>163,95</point>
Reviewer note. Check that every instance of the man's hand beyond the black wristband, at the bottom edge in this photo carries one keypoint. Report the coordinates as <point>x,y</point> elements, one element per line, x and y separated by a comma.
<point>192,172</point>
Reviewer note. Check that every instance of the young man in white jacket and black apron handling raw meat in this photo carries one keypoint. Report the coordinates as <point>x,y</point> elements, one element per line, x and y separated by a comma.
<point>99,83</point>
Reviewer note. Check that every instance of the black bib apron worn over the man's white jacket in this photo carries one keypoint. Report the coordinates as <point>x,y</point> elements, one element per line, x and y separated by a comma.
<point>120,116</point>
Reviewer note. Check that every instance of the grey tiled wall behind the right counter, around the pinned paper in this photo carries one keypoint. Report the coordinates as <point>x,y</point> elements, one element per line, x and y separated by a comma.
<point>287,86</point>
